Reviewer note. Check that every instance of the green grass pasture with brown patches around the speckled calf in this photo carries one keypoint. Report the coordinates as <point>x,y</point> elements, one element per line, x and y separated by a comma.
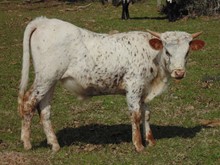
<point>98,131</point>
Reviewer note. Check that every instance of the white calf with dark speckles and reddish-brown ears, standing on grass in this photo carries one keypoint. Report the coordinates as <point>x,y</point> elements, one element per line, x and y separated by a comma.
<point>135,64</point>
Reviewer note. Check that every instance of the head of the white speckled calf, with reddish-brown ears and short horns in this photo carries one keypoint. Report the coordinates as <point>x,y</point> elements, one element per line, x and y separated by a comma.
<point>174,47</point>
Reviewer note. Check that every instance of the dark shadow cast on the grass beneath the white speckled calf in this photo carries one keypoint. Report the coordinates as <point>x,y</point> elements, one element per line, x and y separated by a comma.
<point>115,134</point>
